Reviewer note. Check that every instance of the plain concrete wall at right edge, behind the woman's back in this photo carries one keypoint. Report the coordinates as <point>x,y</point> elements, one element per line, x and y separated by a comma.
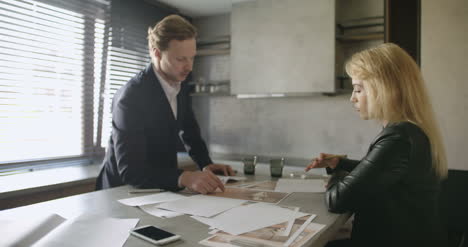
<point>444,56</point>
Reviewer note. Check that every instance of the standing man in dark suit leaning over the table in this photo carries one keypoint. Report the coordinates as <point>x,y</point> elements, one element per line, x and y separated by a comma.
<point>151,112</point>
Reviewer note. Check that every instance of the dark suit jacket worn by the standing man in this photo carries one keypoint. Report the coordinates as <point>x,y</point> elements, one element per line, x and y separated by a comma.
<point>142,149</point>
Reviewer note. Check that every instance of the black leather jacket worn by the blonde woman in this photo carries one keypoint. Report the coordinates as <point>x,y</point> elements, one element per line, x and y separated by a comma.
<point>393,191</point>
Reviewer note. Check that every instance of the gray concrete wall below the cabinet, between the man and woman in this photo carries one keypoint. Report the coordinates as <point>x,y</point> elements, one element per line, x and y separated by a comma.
<point>297,127</point>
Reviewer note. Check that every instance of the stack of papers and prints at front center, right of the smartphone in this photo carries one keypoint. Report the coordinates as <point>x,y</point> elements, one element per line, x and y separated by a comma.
<point>260,224</point>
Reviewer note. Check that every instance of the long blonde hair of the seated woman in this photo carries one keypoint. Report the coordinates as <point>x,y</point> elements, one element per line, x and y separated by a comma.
<point>396,92</point>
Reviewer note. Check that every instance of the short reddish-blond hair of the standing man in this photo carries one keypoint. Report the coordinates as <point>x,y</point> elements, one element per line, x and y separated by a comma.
<point>172,27</point>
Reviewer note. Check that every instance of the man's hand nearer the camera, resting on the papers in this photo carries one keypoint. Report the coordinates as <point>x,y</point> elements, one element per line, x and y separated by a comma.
<point>202,182</point>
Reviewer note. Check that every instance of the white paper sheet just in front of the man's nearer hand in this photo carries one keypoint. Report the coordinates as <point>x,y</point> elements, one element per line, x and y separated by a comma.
<point>201,205</point>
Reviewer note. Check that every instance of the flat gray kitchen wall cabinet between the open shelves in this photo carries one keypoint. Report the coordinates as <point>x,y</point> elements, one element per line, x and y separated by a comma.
<point>283,47</point>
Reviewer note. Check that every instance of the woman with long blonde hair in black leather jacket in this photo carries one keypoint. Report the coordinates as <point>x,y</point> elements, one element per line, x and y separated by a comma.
<point>393,190</point>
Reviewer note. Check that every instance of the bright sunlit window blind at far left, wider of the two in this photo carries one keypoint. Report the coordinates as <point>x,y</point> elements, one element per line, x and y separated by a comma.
<point>52,60</point>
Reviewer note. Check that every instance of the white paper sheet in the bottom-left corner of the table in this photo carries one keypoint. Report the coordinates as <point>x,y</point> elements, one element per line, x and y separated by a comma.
<point>25,232</point>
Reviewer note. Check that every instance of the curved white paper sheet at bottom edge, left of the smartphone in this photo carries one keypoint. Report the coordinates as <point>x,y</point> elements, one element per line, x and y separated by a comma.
<point>90,232</point>
